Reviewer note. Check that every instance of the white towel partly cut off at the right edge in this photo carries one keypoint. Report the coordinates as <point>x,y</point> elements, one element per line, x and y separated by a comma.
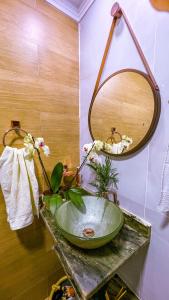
<point>164,199</point>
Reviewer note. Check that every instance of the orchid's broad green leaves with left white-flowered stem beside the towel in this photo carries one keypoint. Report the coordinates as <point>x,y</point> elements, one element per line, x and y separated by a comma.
<point>57,191</point>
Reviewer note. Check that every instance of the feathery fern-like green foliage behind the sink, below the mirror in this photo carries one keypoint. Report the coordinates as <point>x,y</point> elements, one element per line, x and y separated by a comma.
<point>106,176</point>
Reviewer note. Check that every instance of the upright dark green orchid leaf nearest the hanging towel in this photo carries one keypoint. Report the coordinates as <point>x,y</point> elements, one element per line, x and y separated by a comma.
<point>56,177</point>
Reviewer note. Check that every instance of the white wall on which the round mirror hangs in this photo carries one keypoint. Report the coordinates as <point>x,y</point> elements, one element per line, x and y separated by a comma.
<point>140,176</point>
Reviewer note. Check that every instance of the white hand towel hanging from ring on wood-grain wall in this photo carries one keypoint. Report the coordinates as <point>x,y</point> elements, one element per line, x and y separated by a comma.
<point>18,182</point>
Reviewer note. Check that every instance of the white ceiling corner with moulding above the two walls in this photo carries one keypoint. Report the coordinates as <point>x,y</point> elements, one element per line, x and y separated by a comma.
<point>76,9</point>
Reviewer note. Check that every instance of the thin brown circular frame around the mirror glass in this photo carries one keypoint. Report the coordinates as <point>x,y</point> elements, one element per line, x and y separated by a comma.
<point>155,119</point>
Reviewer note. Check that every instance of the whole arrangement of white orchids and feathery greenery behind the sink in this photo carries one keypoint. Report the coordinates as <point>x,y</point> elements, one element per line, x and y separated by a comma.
<point>60,187</point>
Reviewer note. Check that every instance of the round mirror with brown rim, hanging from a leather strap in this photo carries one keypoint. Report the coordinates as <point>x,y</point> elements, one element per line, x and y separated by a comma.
<point>124,112</point>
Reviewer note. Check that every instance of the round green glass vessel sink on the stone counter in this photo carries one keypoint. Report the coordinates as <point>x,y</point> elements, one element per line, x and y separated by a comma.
<point>94,226</point>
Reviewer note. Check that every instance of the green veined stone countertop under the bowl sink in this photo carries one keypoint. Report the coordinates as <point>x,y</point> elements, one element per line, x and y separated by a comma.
<point>90,270</point>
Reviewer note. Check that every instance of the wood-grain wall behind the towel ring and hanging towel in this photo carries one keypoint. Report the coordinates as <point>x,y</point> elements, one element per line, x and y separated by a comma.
<point>38,87</point>
